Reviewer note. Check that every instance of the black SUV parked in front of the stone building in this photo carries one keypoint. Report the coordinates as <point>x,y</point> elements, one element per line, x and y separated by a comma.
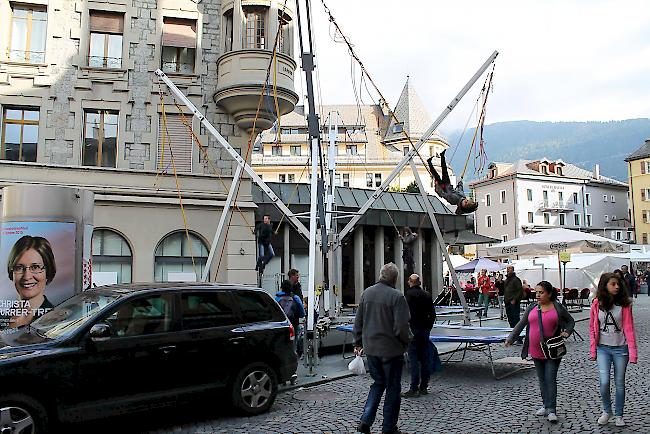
<point>127,348</point>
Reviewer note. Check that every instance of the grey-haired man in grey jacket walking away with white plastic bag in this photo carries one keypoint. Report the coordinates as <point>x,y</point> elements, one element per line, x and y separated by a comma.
<point>381,329</point>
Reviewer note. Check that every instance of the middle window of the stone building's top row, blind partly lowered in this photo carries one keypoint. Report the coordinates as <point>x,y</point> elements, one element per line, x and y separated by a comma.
<point>106,30</point>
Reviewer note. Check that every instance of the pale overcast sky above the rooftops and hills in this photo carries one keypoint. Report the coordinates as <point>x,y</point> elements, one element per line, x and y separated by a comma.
<point>559,60</point>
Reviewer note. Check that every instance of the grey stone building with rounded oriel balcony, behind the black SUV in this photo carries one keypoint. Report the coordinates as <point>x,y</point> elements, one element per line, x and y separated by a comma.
<point>81,106</point>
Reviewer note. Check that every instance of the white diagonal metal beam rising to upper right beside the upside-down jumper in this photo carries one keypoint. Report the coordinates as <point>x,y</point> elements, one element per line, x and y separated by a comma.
<point>398,169</point>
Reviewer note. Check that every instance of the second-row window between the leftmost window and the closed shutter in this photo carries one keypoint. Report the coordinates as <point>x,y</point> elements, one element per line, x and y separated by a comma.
<point>100,138</point>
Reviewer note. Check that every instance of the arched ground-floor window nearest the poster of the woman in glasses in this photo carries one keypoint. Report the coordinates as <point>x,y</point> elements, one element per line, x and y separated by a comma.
<point>112,254</point>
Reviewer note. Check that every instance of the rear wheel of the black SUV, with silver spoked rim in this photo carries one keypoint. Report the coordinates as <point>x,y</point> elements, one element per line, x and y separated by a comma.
<point>254,388</point>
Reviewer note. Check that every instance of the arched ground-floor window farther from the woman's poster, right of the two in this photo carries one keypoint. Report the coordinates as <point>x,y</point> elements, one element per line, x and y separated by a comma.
<point>174,255</point>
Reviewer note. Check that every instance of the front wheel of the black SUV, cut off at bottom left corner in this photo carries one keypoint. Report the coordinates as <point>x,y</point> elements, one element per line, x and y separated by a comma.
<point>21,414</point>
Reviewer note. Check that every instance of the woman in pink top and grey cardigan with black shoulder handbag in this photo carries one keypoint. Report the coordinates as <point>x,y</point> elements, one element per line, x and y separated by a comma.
<point>547,323</point>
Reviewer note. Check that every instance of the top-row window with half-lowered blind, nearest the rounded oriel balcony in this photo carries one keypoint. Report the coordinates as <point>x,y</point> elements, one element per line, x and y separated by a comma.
<point>178,45</point>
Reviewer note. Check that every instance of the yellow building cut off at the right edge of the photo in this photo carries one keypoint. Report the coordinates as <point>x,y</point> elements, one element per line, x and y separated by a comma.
<point>638,169</point>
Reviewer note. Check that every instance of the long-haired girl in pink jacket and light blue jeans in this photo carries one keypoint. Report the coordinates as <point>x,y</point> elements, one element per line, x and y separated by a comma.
<point>612,341</point>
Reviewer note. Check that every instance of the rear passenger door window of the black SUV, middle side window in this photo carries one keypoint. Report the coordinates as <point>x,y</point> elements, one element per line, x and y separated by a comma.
<point>207,309</point>
